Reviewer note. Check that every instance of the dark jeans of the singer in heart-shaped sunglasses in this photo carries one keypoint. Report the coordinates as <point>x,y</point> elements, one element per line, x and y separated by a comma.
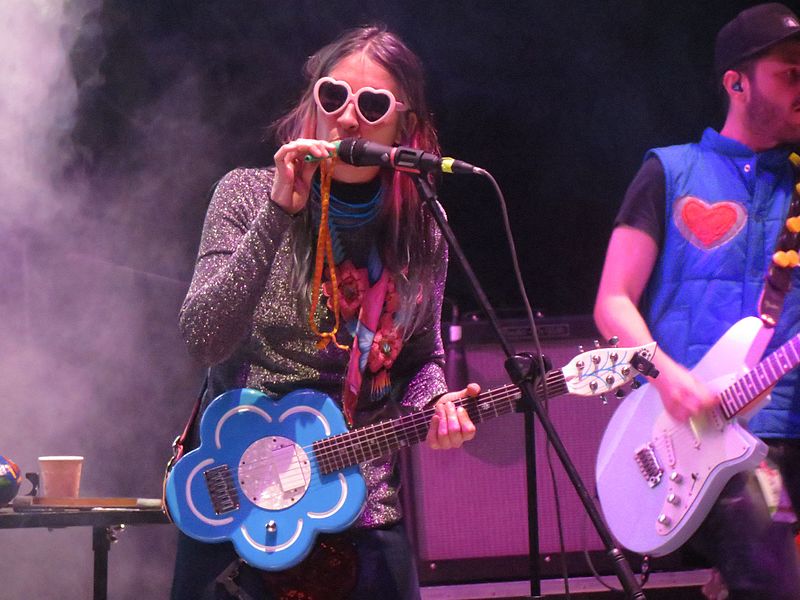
<point>386,569</point>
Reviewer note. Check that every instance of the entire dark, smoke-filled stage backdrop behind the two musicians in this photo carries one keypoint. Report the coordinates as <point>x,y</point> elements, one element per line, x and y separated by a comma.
<point>117,117</point>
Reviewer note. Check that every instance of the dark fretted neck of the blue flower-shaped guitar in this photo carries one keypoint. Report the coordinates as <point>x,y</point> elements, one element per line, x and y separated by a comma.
<point>373,441</point>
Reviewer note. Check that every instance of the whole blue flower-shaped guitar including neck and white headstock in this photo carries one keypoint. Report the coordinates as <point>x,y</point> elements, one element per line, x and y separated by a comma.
<point>269,475</point>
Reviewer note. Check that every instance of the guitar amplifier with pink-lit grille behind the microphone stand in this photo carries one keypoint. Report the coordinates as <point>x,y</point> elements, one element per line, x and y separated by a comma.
<point>468,508</point>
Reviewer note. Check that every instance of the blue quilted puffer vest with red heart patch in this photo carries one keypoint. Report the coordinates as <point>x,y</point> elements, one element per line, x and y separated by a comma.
<point>725,207</point>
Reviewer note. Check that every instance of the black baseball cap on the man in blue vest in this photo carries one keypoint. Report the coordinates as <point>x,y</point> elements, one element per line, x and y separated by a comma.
<point>752,31</point>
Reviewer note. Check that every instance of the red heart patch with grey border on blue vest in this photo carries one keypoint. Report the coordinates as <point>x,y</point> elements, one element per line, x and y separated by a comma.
<point>706,225</point>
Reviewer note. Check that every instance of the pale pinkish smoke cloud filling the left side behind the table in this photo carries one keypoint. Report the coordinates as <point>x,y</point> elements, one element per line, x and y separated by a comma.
<point>92,260</point>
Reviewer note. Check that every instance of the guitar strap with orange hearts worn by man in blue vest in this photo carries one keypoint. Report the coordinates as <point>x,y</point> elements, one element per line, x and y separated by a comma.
<point>779,275</point>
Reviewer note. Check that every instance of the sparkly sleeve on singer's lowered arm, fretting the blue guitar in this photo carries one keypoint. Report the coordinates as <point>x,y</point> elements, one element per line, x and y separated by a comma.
<point>425,346</point>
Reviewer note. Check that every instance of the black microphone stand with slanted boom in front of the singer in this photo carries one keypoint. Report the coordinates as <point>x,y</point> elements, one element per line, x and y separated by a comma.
<point>519,368</point>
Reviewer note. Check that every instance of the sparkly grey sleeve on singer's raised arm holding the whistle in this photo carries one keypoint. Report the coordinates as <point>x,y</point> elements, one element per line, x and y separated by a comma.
<point>241,234</point>
